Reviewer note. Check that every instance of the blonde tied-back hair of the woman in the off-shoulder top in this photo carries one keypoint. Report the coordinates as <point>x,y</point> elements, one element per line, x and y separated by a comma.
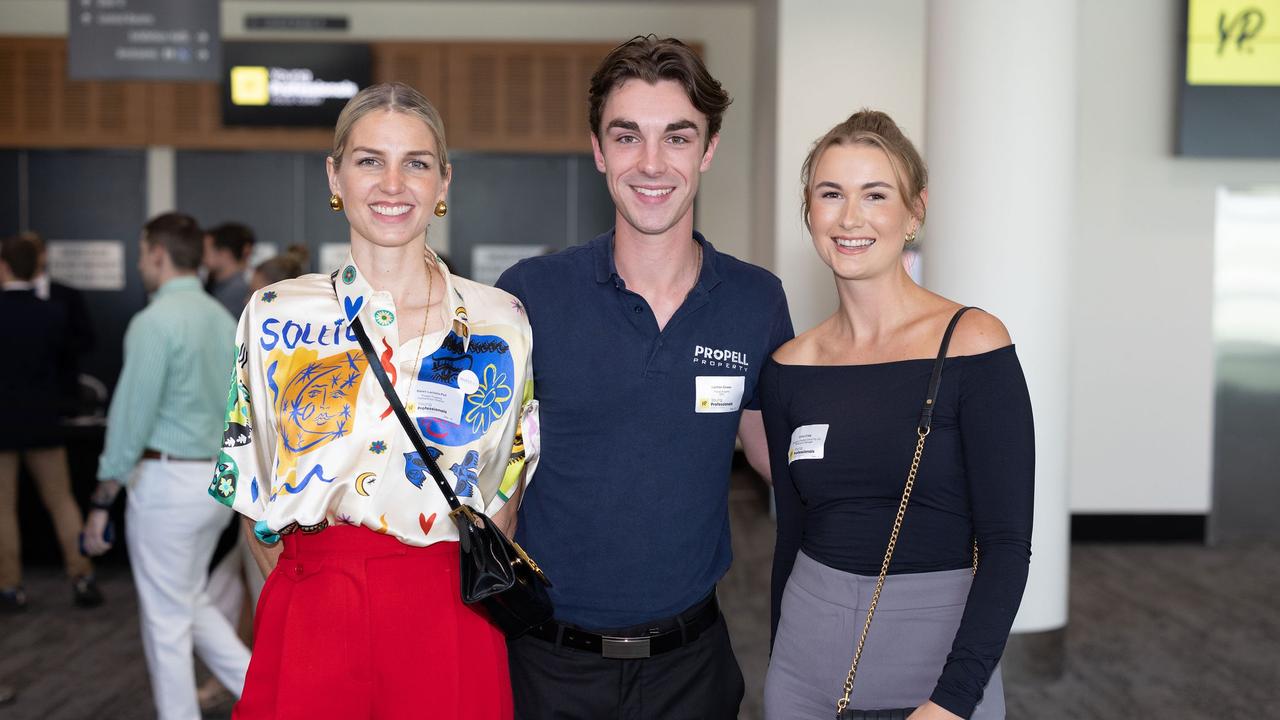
<point>877,130</point>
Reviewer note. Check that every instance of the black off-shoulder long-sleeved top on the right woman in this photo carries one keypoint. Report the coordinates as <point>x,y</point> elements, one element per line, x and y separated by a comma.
<point>976,481</point>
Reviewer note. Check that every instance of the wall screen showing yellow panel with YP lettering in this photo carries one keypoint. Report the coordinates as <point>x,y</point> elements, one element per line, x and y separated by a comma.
<point>1229,104</point>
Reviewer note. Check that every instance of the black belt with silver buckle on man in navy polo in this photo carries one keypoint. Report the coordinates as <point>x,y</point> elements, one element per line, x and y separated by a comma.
<point>664,637</point>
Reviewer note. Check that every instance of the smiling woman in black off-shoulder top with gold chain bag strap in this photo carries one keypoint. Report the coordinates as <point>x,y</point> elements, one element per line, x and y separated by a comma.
<point>842,404</point>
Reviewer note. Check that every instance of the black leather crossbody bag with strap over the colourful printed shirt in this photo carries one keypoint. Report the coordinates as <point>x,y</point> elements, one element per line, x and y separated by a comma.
<point>496,572</point>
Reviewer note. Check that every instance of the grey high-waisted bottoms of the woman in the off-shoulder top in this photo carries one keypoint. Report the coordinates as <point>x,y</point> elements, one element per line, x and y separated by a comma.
<point>824,612</point>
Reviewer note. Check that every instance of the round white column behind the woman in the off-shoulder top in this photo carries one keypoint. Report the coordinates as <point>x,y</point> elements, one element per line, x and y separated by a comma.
<point>1002,152</point>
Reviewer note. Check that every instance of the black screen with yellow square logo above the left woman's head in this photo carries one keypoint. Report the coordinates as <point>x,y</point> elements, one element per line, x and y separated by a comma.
<point>291,84</point>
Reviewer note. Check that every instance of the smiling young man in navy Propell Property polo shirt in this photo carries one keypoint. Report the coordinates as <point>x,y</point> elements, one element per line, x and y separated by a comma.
<point>647,350</point>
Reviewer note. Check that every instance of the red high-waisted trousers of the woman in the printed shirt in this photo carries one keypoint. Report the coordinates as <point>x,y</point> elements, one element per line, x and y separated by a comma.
<point>358,626</point>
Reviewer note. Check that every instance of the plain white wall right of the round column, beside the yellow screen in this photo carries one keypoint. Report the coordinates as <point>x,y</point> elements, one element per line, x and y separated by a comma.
<point>1144,280</point>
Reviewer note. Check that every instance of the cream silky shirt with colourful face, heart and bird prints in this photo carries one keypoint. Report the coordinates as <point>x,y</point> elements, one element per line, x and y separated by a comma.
<point>310,439</point>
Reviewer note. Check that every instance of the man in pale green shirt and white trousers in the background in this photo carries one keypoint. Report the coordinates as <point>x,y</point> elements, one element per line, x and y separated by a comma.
<point>164,431</point>
